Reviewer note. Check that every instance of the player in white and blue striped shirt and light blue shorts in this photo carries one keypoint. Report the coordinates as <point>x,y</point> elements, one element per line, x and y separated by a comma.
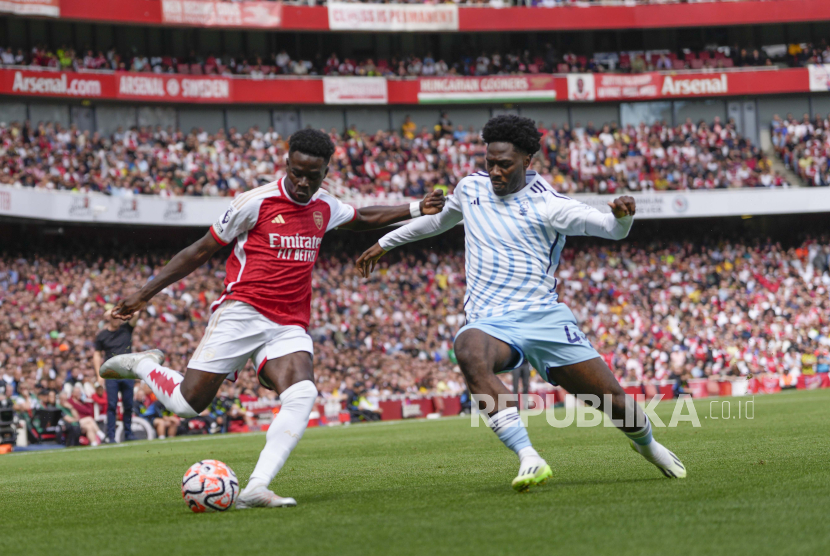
<point>515,226</point>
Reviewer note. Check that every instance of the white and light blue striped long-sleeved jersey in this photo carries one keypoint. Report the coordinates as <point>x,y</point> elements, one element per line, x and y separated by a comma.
<point>513,243</point>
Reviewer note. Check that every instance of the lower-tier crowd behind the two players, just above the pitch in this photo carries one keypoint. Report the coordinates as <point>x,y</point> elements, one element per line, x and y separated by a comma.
<point>654,312</point>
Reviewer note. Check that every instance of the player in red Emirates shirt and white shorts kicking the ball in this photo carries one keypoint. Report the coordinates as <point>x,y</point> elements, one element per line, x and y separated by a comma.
<point>263,313</point>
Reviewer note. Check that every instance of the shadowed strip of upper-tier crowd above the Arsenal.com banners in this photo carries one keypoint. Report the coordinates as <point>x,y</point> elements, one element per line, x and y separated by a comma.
<point>546,60</point>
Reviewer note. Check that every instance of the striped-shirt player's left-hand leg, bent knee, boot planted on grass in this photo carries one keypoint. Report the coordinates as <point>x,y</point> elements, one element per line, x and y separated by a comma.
<point>480,356</point>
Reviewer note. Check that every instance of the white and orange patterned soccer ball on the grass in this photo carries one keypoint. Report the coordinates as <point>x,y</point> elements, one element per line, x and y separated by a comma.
<point>209,486</point>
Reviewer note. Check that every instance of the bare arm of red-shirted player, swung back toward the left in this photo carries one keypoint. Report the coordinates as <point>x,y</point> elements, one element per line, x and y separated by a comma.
<point>186,261</point>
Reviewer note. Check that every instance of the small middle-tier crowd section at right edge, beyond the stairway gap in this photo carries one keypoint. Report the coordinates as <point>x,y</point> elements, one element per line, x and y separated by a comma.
<point>804,146</point>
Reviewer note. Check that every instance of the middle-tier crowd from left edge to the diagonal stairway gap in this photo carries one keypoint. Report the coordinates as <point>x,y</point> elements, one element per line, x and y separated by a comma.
<point>405,163</point>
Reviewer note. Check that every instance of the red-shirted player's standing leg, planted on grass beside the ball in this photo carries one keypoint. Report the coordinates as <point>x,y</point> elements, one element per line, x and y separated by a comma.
<point>292,377</point>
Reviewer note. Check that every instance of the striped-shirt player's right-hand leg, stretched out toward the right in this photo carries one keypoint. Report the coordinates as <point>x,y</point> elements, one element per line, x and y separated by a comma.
<point>594,377</point>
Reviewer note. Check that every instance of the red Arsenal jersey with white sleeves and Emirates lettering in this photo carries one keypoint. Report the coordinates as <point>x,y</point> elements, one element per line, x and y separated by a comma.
<point>276,243</point>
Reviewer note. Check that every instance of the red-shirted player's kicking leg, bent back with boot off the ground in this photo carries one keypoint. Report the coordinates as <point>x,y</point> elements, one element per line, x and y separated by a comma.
<point>185,395</point>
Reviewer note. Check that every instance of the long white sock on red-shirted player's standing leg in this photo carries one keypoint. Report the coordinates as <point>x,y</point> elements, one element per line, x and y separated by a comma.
<point>284,432</point>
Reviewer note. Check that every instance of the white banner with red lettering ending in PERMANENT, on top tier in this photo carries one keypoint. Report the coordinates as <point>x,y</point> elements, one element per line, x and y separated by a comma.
<point>392,17</point>
